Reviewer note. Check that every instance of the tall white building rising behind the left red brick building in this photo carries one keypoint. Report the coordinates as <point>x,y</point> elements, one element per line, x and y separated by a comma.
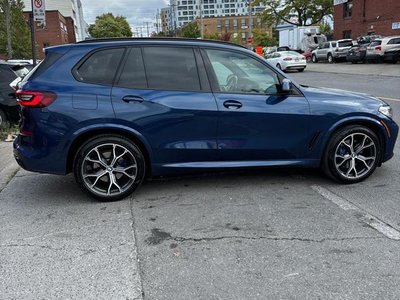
<point>67,8</point>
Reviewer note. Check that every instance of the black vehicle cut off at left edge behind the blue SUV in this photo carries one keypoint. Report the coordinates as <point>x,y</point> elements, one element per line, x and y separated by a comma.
<point>9,108</point>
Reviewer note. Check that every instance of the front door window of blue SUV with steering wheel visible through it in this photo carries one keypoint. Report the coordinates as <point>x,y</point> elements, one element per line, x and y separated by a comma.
<point>238,73</point>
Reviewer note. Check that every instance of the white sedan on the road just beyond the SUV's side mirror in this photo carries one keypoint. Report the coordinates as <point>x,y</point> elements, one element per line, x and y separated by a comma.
<point>288,60</point>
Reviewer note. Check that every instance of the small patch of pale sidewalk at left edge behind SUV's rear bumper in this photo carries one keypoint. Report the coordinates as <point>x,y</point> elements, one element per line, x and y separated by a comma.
<point>8,165</point>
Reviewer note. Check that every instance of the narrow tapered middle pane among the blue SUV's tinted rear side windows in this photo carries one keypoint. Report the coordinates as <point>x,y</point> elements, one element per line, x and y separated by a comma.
<point>133,74</point>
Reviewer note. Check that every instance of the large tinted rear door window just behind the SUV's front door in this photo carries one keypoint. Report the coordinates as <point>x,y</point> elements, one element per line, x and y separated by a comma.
<point>171,68</point>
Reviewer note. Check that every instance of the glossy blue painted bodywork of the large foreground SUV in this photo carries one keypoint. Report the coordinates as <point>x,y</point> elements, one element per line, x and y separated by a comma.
<point>187,130</point>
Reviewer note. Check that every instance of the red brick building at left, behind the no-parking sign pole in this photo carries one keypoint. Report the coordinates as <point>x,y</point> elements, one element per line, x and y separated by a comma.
<point>58,30</point>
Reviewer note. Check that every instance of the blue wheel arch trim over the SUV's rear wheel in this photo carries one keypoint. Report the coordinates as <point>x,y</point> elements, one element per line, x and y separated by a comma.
<point>83,135</point>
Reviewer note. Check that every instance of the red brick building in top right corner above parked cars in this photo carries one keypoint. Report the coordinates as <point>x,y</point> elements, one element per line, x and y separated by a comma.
<point>354,18</point>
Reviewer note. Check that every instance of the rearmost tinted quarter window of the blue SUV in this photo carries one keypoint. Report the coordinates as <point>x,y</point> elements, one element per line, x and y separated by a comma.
<point>100,67</point>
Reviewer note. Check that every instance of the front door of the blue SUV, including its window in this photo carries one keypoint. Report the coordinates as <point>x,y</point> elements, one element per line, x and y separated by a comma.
<point>256,121</point>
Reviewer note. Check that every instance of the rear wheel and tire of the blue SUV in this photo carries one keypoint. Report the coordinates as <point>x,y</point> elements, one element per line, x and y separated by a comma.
<point>109,167</point>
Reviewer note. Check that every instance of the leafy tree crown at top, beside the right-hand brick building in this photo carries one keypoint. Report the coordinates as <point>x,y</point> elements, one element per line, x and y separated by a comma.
<point>296,12</point>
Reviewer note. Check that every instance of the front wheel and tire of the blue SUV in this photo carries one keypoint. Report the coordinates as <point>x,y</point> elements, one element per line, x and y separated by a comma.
<point>351,162</point>
